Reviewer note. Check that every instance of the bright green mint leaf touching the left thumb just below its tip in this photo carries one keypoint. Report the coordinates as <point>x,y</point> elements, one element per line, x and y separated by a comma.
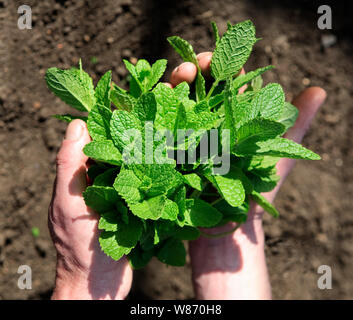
<point>104,151</point>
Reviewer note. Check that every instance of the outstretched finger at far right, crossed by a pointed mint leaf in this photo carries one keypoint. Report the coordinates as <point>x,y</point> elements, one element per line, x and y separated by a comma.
<point>308,103</point>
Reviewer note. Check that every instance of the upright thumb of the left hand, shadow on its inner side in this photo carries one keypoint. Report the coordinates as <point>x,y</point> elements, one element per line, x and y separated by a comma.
<point>71,163</point>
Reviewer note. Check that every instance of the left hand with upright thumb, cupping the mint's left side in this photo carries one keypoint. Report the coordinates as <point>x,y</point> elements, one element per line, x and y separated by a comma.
<point>83,271</point>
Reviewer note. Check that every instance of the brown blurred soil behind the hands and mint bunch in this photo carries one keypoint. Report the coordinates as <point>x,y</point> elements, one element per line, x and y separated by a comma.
<point>316,225</point>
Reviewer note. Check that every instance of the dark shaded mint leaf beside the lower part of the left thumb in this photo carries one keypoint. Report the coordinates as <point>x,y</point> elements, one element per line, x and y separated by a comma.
<point>101,199</point>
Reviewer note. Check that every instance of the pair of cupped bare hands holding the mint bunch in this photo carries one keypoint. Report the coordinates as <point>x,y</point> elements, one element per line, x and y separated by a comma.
<point>231,267</point>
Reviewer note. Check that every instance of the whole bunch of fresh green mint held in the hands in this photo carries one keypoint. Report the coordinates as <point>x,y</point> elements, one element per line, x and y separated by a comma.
<point>149,194</point>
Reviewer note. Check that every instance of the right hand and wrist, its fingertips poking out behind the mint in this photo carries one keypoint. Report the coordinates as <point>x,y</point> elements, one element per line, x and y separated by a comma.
<point>234,266</point>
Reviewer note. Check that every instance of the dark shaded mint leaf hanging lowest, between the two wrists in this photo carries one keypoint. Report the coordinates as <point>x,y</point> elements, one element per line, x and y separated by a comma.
<point>173,253</point>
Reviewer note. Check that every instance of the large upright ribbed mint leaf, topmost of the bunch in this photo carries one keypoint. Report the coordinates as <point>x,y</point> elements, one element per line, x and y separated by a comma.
<point>233,50</point>
